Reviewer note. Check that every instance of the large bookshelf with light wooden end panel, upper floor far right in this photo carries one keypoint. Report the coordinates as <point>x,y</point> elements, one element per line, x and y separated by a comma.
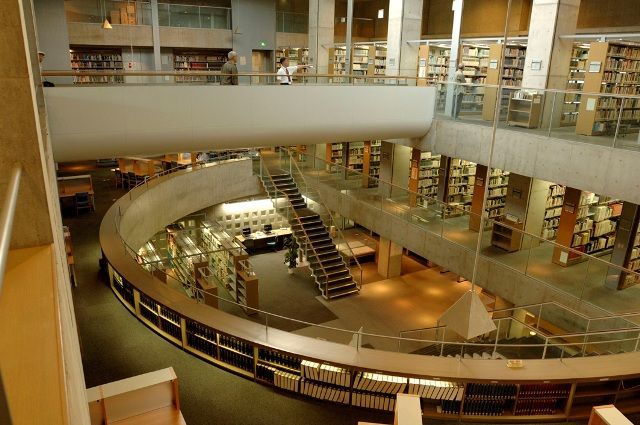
<point>612,67</point>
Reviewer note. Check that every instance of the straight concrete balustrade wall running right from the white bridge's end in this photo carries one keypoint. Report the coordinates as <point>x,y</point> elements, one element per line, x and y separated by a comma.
<point>586,166</point>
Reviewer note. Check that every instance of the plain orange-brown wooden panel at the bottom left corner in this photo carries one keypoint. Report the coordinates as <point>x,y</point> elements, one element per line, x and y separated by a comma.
<point>30,343</point>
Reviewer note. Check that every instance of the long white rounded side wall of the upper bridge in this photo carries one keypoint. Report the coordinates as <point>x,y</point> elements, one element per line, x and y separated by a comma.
<point>112,121</point>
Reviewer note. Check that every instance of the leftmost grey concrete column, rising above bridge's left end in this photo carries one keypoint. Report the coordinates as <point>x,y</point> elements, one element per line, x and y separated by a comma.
<point>53,37</point>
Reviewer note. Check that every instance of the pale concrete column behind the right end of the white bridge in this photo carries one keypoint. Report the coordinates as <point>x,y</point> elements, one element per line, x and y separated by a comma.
<point>405,23</point>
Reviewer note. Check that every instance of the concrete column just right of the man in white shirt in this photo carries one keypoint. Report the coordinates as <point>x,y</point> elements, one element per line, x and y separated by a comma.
<point>321,20</point>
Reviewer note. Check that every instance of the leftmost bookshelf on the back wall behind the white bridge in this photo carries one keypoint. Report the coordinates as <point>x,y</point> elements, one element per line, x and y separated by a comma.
<point>96,60</point>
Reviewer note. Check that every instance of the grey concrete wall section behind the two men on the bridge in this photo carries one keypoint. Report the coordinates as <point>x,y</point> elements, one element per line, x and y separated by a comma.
<point>254,28</point>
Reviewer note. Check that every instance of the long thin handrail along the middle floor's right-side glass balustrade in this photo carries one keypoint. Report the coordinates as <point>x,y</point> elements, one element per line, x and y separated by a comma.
<point>488,220</point>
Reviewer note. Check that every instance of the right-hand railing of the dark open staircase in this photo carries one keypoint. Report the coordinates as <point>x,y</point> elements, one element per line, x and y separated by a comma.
<point>344,249</point>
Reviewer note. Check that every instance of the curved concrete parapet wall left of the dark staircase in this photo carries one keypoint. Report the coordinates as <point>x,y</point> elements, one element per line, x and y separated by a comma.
<point>168,201</point>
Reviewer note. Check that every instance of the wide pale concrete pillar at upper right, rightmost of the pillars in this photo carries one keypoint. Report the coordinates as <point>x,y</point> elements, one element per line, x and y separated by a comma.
<point>548,56</point>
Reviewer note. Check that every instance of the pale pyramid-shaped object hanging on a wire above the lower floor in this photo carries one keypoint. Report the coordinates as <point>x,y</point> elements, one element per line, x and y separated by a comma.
<point>468,317</point>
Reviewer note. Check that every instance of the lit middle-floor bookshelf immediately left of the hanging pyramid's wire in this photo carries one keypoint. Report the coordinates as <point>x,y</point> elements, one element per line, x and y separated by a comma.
<point>456,182</point>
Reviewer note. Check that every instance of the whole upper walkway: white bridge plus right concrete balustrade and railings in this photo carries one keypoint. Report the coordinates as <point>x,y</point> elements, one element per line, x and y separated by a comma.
<point>142,113</point>
